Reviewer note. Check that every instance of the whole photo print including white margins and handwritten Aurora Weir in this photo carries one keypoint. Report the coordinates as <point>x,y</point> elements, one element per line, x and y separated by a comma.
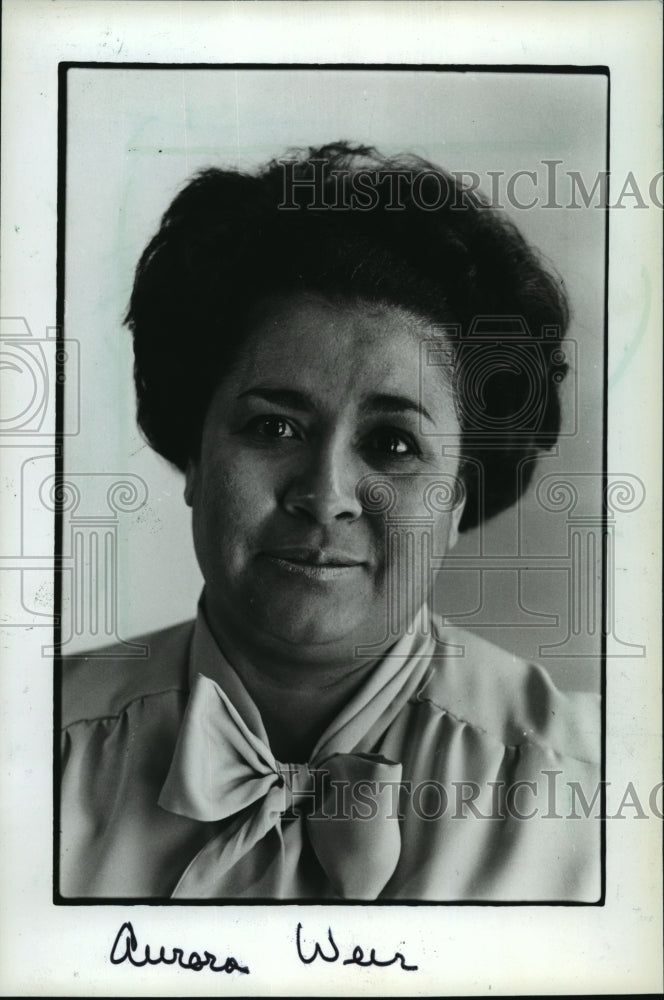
<point>329,419</point>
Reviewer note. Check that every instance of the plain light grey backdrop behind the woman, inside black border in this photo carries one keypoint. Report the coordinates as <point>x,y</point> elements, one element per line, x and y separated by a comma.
<point>135,137</point>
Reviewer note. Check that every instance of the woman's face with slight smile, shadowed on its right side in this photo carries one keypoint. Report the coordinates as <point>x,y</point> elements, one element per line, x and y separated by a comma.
<point>325,401</point>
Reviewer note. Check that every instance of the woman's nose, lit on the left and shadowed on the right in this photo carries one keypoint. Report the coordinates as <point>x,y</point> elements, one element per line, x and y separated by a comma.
<point>325,489</point>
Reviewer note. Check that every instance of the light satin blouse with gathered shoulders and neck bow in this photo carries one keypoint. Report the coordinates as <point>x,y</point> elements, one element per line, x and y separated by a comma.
<point>457,772</point>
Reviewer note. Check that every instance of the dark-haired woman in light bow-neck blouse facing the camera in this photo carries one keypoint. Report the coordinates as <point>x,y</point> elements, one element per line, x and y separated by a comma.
<point>311,350</point>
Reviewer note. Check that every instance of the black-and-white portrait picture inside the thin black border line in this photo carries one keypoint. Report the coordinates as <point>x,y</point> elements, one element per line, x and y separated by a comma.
<point>355,372</point>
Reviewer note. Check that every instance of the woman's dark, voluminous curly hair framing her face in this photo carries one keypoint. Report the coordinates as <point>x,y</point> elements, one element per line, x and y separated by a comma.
<point>344,222</point>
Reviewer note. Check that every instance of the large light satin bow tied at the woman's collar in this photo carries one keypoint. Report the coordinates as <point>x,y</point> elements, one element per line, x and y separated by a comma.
<point>221,769</point>
